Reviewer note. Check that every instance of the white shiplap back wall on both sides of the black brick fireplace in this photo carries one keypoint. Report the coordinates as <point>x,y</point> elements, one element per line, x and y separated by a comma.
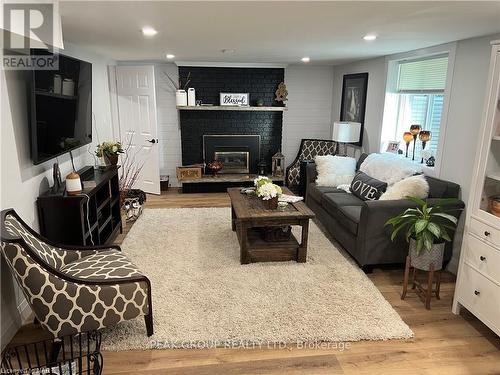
<point>309,112</point>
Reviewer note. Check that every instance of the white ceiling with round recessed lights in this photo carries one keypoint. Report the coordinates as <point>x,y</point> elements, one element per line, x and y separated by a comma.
<point>273,31</point>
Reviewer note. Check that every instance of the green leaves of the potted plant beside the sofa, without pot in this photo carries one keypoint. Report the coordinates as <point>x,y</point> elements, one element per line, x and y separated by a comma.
<point>426,225</point>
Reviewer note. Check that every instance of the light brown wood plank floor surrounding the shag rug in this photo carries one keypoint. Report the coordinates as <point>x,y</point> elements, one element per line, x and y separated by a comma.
<point>443,343</point>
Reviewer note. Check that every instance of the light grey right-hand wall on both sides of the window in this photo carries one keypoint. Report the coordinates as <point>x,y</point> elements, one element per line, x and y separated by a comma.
<point>464,114</point>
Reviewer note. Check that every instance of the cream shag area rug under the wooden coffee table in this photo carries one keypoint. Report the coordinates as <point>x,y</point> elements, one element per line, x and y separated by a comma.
<point>203,296</point>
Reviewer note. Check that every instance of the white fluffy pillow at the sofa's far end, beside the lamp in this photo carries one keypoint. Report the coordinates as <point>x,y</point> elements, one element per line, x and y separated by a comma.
<point>334,170</point>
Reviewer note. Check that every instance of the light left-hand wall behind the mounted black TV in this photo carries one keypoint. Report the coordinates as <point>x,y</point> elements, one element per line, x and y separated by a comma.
<point>21,182</point>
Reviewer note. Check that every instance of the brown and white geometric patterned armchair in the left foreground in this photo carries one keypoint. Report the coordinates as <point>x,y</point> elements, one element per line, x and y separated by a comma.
<point>77,289</point>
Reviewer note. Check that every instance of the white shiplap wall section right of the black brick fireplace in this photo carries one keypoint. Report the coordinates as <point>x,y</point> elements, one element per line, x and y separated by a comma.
<point>309,115</point>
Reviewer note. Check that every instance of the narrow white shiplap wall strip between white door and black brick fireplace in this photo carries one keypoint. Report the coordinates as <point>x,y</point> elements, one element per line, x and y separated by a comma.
<point>169,134</point>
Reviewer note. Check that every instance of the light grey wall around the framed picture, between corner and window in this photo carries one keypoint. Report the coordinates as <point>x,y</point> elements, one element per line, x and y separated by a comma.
<point>376,69</point>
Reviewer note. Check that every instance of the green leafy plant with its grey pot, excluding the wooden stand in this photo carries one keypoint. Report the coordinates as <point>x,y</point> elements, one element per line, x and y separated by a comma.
<point>426,229</point>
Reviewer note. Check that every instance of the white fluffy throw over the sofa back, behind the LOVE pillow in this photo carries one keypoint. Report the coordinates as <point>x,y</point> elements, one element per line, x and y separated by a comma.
<point>389,168</point>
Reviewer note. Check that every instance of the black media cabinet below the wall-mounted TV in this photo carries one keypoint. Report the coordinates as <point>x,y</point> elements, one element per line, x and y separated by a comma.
<point>63,218</point>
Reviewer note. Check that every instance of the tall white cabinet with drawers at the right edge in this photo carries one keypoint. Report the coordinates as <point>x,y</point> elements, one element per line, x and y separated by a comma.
<point>478,280</point>
